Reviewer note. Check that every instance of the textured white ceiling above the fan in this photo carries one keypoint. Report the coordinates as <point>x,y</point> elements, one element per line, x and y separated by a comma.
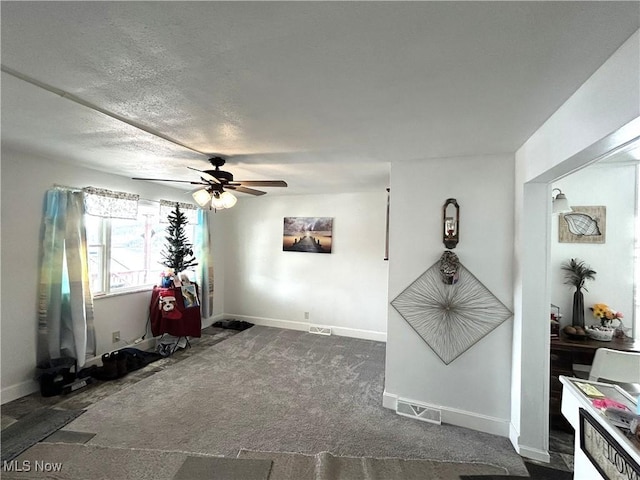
<point>321,94</point>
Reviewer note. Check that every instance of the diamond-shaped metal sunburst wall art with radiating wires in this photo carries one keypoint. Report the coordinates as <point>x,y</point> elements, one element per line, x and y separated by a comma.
<point>450,308</point>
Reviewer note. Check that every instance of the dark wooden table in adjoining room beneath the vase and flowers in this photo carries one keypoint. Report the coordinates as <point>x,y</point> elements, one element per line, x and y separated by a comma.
<point>565,352</point>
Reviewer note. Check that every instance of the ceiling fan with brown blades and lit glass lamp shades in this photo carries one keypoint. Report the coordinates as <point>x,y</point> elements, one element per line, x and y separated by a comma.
<point>216,183</point>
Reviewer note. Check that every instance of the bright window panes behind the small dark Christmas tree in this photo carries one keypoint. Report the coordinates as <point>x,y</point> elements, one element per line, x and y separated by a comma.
<point>125,255</point>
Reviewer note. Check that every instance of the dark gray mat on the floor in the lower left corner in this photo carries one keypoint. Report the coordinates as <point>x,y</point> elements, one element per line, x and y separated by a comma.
<point>32,428</point>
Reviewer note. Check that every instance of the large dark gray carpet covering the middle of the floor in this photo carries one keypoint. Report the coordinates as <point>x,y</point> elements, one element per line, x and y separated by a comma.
<point>268,389</point>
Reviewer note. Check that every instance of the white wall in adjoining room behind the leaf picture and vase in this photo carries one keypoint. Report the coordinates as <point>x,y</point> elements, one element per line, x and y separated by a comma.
<point>614,186</point>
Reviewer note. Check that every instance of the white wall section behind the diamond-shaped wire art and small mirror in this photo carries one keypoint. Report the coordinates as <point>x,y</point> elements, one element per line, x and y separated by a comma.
<point>473,390</point>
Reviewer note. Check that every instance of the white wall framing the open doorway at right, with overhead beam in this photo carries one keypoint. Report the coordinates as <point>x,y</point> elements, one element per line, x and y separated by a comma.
<point>599,116</point>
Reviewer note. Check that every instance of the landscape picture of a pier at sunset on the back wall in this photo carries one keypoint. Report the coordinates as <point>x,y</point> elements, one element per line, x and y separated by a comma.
<point>307,234</point>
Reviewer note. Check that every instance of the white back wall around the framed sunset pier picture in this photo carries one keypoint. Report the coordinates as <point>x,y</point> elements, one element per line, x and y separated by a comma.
<point>346,289</point>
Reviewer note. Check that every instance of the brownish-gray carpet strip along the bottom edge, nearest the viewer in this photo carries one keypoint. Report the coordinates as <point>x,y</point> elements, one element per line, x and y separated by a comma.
<point>87,462</point>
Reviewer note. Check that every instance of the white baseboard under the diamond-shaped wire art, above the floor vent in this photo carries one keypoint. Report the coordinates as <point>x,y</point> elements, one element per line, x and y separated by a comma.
<point>454,416</point>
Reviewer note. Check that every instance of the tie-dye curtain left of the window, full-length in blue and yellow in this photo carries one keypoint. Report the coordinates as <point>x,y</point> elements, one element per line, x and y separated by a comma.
<point>65,309</point>
